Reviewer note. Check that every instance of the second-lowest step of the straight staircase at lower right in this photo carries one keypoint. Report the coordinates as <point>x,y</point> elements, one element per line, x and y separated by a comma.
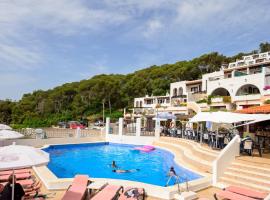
<point>248,178</point>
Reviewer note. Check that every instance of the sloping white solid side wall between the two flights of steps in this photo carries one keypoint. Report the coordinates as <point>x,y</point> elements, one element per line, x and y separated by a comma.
<point>225,158</point>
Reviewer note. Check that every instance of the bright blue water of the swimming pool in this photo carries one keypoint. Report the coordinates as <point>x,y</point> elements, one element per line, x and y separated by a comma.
<point>94,159</point>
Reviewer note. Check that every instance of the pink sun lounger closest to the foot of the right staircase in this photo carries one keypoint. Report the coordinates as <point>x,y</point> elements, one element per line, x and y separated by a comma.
<point>247,192</point>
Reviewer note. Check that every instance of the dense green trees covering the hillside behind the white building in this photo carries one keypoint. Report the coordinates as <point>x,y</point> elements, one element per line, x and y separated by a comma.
<point>79,100</point>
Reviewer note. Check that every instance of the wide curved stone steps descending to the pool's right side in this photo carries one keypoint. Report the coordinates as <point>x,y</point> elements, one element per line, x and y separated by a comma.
<point>191,153</point>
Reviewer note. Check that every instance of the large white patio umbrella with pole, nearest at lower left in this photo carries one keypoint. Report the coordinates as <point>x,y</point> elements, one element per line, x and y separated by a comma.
<point>18,156</point>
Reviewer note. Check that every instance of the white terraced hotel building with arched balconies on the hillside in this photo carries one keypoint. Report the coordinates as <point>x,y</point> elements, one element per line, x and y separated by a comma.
<point>239,85</point>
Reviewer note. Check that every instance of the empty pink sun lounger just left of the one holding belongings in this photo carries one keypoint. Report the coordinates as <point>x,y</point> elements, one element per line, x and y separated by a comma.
<point>108,192</point>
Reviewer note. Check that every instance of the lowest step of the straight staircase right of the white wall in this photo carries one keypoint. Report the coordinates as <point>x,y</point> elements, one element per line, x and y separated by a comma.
<point>229,181</point>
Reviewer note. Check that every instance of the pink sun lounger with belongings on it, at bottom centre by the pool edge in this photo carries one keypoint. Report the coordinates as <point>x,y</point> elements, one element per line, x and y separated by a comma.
<point>131,193</point>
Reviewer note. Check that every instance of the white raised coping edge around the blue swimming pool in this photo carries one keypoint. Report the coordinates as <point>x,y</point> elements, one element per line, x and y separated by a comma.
<point>52,182</point>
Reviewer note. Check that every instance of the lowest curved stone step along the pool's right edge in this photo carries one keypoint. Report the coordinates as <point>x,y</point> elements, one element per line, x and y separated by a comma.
<point>187,156</point>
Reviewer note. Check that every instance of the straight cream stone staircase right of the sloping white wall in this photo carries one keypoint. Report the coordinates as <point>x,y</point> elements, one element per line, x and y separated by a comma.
<point>249,172</point>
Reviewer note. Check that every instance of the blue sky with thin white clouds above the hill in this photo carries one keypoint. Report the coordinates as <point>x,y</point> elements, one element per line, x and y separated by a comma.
<point>47,43</point>
